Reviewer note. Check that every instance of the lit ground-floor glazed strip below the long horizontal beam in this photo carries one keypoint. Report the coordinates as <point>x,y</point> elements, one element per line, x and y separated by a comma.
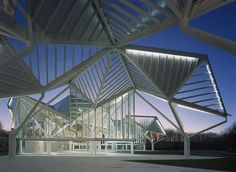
<point>77,147</point>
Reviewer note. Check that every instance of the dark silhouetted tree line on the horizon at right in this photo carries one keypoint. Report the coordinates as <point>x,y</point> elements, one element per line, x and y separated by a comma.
<point>225,140</point>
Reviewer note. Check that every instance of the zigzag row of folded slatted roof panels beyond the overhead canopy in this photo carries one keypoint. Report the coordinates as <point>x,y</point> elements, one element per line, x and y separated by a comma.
<point>108,73</point>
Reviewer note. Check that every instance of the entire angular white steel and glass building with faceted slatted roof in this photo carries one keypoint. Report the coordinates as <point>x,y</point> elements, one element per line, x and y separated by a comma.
<point>83,46</point>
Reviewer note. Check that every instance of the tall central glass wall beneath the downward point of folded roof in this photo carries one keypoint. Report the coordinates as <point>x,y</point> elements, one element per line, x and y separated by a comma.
<point>112,120</point>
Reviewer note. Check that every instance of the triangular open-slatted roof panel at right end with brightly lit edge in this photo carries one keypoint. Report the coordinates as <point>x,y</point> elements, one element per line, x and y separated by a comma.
<point>201,91</point>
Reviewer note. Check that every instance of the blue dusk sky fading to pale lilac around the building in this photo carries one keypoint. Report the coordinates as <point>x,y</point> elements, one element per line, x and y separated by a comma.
<point>221,22</point>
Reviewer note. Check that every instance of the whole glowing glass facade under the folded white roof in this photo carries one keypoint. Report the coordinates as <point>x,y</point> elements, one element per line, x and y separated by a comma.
<point>74,124</point>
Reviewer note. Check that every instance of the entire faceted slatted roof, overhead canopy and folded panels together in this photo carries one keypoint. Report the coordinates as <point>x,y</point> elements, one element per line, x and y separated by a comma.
<point>47,41</point>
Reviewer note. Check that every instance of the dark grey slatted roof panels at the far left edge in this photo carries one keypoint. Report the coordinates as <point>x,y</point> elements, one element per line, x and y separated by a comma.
<point>15,78</point>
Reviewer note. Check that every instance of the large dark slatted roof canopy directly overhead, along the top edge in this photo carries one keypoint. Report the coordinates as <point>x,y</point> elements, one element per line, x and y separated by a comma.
<point>109,22</point>
